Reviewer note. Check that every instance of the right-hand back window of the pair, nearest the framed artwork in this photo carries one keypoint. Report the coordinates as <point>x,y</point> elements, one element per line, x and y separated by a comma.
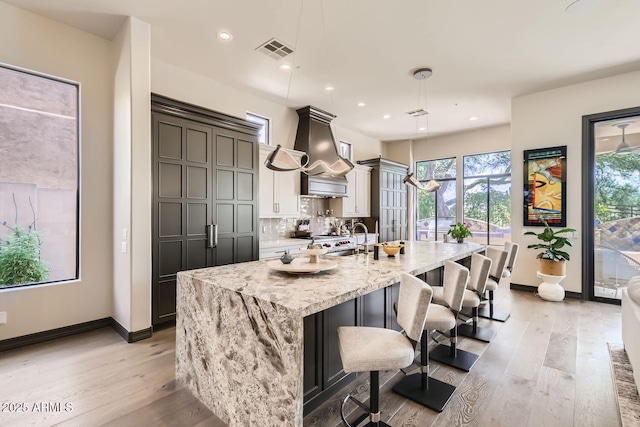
<point>487,197</point>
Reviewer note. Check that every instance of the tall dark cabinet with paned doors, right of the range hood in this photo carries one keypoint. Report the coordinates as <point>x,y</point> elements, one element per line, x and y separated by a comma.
<point>388,198</point>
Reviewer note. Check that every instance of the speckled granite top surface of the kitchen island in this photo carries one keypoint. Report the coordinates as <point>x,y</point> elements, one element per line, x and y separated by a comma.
<point>354,276</point>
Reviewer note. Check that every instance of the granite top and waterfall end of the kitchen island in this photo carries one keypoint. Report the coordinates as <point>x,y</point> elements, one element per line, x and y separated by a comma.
<point>240,334</point>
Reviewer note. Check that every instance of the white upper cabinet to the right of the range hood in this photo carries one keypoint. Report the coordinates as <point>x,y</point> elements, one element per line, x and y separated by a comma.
<point>358,200</point>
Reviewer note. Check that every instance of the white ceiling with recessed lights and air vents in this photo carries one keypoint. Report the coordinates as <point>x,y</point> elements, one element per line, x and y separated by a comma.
<point>483,53</point>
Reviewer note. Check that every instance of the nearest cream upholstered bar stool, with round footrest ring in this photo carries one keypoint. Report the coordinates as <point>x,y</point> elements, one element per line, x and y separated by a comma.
<point>378,349</point>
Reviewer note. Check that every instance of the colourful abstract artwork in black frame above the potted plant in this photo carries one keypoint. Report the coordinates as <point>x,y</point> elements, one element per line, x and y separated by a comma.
<point>545,186</point>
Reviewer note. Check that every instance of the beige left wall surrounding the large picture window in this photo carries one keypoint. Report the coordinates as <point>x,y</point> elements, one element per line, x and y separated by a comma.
<point>36,43</point>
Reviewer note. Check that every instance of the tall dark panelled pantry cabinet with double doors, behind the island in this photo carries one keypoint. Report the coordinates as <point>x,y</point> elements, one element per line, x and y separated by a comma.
<point>205,195</point>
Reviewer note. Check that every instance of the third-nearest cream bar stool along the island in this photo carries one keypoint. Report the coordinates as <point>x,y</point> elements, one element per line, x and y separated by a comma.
<point>453,299</point>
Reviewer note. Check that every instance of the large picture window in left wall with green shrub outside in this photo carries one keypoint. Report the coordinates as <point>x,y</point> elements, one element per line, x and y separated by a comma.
<point>39,145</point>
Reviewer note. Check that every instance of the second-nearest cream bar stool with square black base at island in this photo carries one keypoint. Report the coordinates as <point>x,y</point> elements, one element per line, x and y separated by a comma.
<point>421,388</point>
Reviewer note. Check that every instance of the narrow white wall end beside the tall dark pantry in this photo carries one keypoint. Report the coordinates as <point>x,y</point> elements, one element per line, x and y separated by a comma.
<point>132,185</point>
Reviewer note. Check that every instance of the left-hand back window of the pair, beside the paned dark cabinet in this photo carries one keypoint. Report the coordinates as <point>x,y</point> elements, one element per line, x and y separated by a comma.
<point>436,211</point>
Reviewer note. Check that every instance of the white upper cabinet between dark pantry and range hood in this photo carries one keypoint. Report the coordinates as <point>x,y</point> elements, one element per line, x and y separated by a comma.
<point>279,191</point>
